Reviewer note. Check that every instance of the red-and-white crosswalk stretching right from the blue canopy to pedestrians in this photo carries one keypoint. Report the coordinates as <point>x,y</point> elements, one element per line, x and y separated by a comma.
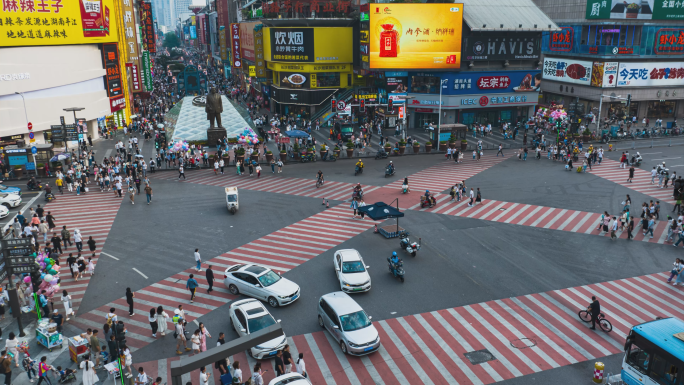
<point>574,221</point>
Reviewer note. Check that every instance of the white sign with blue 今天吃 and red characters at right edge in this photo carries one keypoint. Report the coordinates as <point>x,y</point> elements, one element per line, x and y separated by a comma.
<point>650,74</point>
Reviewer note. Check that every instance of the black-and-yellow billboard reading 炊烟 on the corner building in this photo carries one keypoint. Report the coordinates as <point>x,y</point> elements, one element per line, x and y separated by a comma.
<point>309,45</point>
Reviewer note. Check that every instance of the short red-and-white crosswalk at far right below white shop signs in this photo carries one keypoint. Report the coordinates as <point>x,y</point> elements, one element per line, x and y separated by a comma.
<point>610,170</point>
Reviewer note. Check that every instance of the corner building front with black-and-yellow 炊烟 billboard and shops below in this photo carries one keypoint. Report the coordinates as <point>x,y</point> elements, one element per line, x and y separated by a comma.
<point>306,70</point>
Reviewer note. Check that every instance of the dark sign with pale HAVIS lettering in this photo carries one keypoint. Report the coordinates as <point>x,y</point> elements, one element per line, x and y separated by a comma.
<point>501,46</point>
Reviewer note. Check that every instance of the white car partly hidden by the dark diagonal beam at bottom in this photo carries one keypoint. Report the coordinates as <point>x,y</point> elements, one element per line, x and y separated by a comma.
<point>249,316</point>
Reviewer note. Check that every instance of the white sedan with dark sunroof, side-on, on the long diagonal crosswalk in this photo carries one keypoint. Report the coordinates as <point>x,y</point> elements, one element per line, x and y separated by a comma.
<point>262,283</point>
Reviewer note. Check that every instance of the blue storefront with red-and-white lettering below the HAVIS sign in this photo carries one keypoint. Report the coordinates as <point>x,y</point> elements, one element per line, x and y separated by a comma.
<point>472,97</point>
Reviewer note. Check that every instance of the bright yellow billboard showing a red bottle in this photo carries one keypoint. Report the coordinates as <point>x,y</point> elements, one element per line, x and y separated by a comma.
<point>424,36</point>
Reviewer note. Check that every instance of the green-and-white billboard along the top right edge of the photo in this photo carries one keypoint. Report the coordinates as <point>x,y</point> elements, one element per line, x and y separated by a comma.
<point>642,10</point>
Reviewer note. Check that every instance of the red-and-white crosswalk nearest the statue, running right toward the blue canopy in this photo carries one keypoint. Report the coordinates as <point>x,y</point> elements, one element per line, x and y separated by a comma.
<point>269,182</point>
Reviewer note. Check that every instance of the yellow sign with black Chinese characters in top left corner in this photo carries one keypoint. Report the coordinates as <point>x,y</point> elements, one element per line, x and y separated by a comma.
<point>57,22</point>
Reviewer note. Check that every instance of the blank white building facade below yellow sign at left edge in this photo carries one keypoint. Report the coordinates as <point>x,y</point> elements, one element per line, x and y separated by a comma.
<point>79,84</point>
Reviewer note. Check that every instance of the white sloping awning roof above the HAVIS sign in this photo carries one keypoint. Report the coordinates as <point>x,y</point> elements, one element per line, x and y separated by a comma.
<point>514,15</point>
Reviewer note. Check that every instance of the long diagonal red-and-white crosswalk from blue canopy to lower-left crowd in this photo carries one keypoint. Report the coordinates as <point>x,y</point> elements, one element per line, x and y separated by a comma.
<point>281,251</point>
